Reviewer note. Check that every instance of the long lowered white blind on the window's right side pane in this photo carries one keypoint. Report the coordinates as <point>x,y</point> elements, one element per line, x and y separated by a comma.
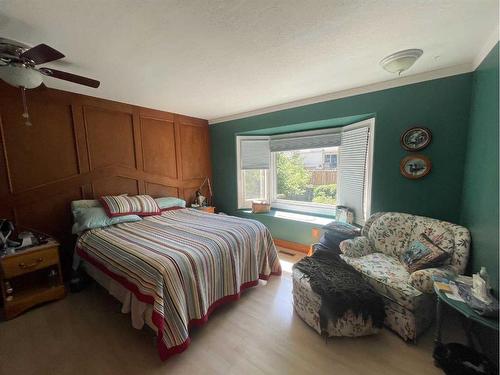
<point>352,167</point>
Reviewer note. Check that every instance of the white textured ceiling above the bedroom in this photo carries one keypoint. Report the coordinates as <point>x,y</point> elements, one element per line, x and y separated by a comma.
<point>214,58</point>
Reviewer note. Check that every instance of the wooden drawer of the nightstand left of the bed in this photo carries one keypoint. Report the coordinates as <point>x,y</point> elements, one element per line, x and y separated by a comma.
<point>20,264</point>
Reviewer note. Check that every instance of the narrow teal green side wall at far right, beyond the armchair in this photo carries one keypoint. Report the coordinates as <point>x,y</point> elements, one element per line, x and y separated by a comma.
<point>480,188</point>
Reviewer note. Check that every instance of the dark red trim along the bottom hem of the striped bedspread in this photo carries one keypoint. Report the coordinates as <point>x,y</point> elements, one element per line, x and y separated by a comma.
<point>157,318</point>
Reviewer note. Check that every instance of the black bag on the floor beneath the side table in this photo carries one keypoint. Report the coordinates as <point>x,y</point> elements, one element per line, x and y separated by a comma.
<point>458,359</point>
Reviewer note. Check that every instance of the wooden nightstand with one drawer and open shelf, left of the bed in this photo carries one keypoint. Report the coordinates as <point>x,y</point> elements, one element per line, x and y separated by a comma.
<point>35,277</point>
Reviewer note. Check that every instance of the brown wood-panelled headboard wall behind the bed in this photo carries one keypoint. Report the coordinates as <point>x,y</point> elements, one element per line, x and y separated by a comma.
<point>81,147</point>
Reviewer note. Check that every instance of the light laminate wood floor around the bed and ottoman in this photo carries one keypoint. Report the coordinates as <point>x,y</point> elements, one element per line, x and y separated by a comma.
<point>85,333</point>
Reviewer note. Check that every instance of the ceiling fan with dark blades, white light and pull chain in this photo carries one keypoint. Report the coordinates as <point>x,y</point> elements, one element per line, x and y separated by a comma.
<point>18,67</point>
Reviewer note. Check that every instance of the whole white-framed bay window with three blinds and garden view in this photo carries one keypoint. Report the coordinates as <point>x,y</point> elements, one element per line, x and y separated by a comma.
<point>309,172</point>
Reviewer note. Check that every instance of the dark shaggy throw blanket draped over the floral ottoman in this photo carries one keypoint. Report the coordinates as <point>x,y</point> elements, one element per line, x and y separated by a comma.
<point>341,289</point>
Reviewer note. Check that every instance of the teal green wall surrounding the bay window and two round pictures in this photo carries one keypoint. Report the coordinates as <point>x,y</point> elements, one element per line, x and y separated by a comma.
<point>441,105</point>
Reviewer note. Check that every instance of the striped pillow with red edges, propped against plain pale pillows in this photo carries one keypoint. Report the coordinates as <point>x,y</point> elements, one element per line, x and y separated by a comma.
<point>120,205</point>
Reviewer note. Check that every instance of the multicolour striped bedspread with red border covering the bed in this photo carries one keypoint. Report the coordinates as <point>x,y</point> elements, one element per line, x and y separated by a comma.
<point>183,262</point>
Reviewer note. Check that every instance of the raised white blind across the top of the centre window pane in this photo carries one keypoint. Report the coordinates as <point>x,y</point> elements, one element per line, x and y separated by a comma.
<point>306,140</point>
